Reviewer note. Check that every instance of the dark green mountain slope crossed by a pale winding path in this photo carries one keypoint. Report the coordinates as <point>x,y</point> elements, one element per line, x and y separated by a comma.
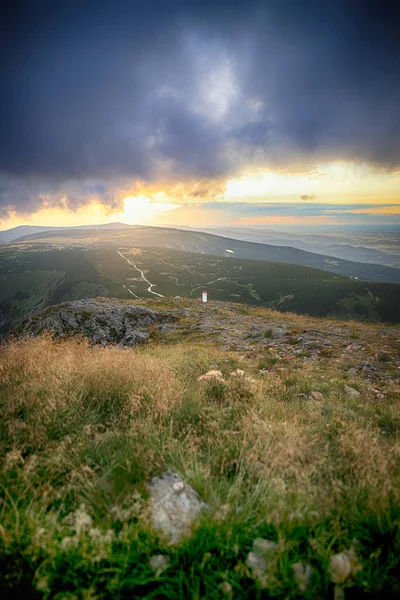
<point>34,277</point>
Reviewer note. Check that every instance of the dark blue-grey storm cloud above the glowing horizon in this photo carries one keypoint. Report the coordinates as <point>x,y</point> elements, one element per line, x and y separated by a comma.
<point>192,89</point>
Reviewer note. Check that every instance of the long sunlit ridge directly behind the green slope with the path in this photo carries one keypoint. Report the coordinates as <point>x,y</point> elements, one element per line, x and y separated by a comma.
<point>206,243</point>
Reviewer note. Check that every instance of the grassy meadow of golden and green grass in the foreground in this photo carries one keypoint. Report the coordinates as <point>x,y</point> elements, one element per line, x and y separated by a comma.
<point>84,428</point>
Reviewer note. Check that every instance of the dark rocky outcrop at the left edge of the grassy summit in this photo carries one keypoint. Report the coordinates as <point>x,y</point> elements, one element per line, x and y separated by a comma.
<point>101,321</point>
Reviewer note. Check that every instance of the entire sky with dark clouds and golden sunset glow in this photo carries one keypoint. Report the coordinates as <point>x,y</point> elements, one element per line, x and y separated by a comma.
<point>200,112</point>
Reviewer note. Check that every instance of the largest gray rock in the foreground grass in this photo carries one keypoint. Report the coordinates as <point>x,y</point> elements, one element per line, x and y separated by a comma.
<point>175,506</point>
